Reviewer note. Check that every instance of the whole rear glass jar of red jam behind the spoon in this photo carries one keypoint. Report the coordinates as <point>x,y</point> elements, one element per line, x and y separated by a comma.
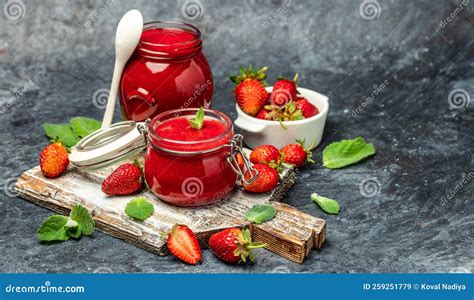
<point>168,70</point>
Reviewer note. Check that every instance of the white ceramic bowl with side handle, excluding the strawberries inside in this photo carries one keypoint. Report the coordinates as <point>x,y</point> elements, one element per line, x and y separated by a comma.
<point>257,132</point>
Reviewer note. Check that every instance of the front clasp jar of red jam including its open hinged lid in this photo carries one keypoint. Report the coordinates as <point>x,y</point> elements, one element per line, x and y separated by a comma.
<point>184,165</point>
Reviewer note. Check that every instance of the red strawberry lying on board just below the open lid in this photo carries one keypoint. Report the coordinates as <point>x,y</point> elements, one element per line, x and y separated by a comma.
<point>125,180</point>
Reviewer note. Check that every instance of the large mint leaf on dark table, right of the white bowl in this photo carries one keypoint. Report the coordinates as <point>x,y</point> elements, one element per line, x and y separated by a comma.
<point>346,152</point>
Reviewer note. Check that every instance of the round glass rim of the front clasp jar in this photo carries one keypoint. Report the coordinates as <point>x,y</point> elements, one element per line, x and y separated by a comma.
<point>170,114</point>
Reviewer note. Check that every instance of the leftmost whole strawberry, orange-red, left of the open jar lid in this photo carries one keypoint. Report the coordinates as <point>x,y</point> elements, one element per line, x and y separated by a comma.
<point>54,160</point>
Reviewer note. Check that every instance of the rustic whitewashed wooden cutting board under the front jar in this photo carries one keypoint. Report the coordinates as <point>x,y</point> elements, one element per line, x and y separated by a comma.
<point>291,234</point>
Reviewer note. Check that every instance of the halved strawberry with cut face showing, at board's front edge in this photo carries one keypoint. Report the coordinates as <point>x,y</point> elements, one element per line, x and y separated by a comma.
<point>183,244</point>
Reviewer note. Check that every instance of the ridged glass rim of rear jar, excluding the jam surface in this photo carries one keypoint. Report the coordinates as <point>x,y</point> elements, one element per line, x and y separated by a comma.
<point>159,49</point>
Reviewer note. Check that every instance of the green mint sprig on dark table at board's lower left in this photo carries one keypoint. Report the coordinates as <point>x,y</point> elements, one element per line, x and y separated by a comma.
<point>61,228</point>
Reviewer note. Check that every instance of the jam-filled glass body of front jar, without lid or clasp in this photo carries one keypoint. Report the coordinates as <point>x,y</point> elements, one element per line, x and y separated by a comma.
<point>186,166</point>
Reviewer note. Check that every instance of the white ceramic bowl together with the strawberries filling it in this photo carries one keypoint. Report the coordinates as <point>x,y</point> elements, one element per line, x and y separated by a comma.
<point>285,113</point>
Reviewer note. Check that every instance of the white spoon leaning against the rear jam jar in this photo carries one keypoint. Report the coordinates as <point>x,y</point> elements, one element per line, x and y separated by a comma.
<point>127,36</point>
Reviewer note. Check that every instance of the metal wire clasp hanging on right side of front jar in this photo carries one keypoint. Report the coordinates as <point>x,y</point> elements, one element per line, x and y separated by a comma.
<point>236,148</point>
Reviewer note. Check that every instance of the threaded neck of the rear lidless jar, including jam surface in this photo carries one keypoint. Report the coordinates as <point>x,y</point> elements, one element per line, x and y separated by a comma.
<point>169,40</point>
